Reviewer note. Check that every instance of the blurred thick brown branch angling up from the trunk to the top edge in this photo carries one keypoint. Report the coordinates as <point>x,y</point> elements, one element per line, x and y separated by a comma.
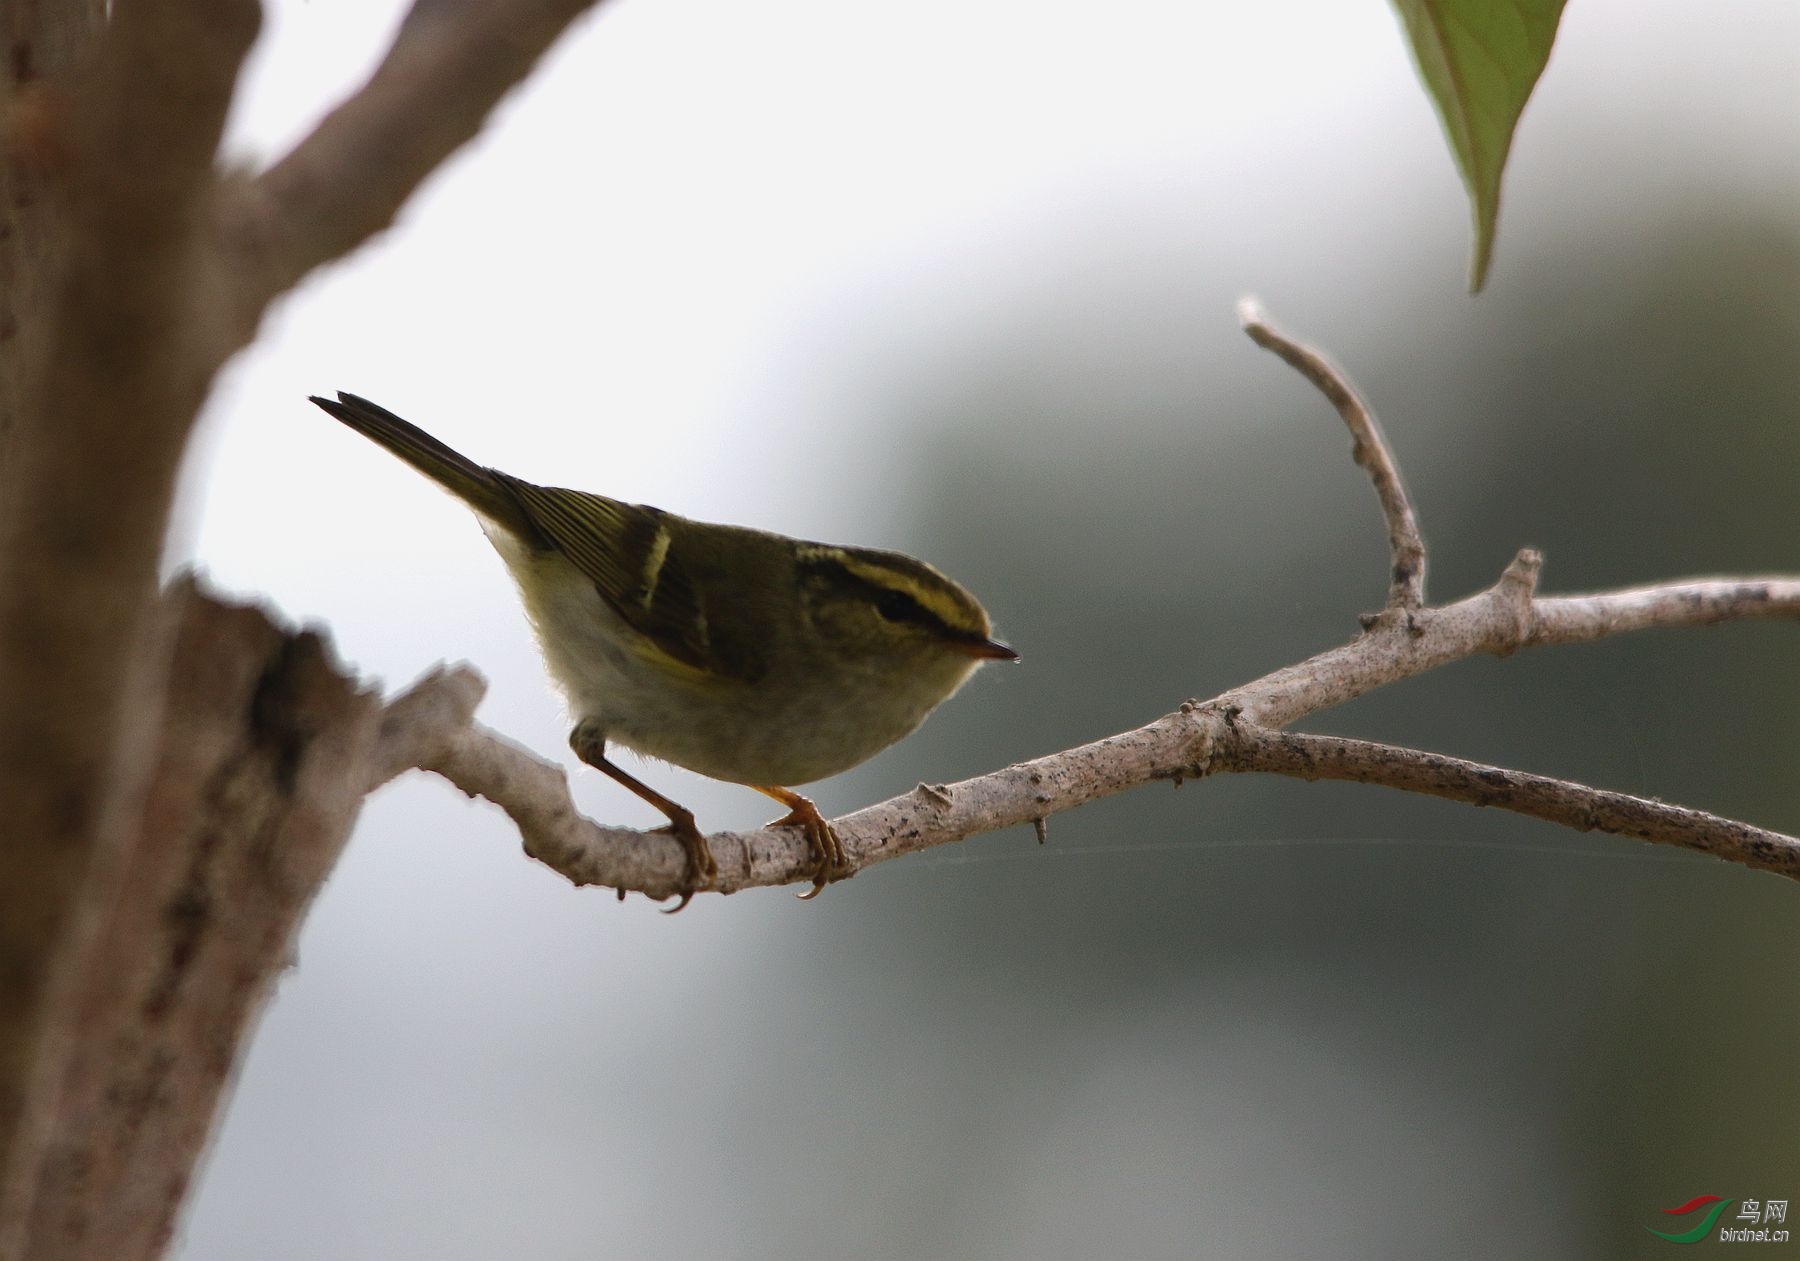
<point>449,67</point>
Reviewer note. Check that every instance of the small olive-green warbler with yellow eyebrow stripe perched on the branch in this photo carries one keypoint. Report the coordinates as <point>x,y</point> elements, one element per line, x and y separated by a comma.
<point>739,654</point>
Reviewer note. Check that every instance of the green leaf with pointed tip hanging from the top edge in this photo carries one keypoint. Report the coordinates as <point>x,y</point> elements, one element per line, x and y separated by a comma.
<point>1480,62</point>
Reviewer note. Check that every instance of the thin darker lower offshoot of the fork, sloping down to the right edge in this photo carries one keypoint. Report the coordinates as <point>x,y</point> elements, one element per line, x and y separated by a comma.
<point>1556,801</point>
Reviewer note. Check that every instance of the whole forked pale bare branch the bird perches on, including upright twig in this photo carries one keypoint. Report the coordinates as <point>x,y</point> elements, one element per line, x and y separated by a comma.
<point>433,726</point>
